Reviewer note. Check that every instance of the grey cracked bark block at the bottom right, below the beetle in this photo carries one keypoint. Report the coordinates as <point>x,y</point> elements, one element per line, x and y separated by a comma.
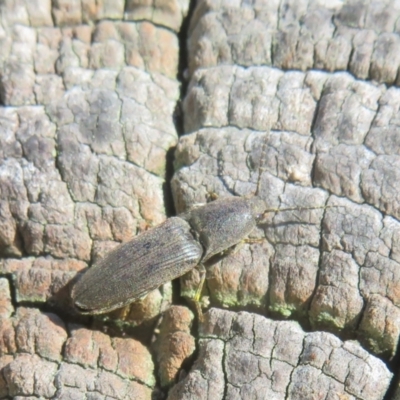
<point>246,356</point>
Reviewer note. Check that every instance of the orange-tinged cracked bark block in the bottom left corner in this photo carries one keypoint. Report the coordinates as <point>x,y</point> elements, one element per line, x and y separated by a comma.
<point>40,358</point>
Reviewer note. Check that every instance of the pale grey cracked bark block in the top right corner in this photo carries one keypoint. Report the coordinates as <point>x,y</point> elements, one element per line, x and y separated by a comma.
<point>360,37</point>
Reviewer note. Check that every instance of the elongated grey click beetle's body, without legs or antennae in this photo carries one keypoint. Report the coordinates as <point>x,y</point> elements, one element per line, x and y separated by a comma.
<point>164,253</point>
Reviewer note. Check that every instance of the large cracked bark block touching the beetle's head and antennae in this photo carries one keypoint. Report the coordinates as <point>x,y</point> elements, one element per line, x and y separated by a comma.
<point>337,268</point>
